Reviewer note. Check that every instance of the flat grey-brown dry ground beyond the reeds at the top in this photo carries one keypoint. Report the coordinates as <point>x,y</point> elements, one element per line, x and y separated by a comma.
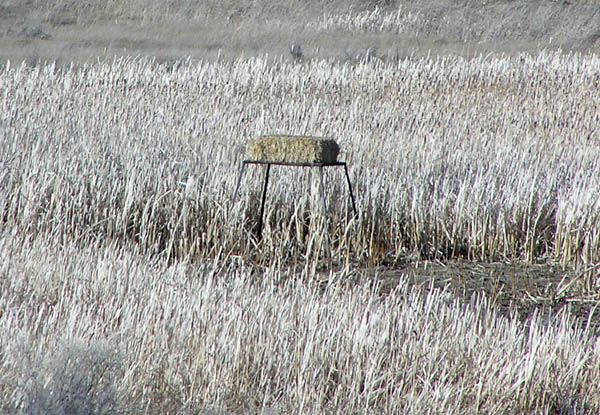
<point>37,30</point>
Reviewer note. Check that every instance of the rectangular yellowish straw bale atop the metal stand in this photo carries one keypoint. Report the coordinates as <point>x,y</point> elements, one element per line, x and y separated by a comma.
<point>293,149</point>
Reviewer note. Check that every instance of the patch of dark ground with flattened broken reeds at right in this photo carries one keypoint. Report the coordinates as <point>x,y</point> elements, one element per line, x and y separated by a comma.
<point>512,287</point>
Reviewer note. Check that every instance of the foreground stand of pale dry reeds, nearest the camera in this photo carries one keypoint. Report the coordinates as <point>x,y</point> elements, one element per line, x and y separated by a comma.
<point>102,330</point>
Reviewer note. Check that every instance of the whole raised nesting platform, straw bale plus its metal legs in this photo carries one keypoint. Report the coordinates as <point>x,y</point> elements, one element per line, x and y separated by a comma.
<point>293,151</point>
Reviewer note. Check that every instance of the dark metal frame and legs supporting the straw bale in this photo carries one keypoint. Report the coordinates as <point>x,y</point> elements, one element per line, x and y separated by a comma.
<point>268,165</point>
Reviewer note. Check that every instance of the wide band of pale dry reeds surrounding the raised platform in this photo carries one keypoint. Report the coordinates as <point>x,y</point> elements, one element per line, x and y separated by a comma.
<point>491,158</point>
